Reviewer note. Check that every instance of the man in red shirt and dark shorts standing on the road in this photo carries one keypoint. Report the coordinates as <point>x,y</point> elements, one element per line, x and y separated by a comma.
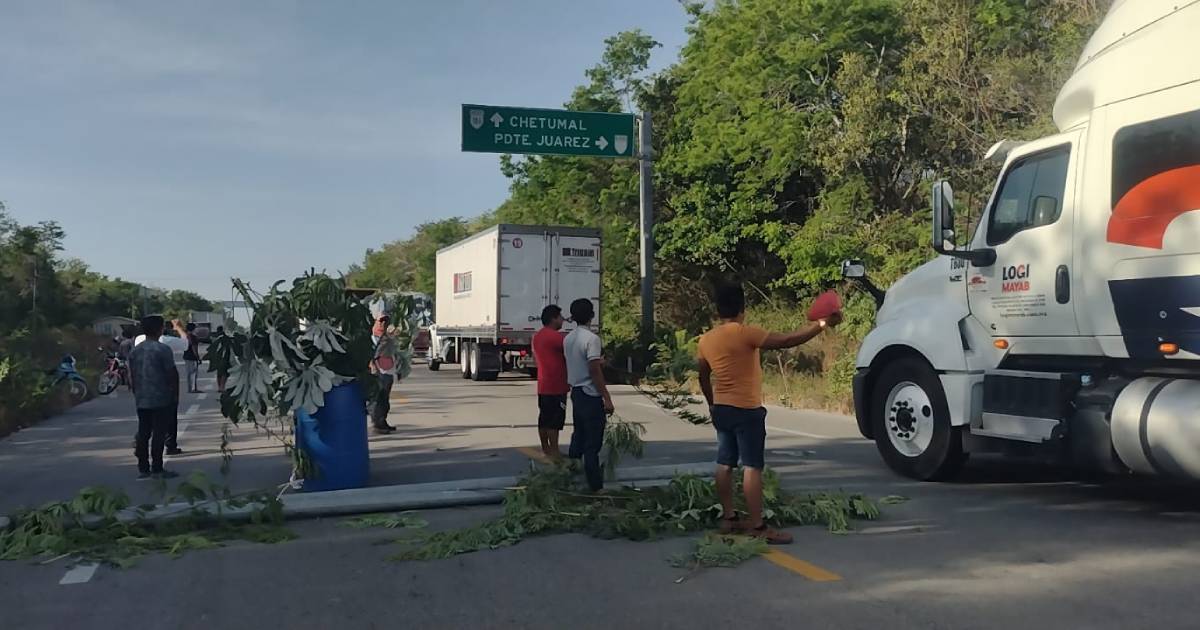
<point>553,388</point>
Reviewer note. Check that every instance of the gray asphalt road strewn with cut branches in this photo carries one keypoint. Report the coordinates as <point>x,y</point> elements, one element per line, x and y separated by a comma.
<point>1010,545</point>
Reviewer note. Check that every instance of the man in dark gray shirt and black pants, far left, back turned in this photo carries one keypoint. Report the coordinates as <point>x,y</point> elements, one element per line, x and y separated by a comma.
<point>155,382</point>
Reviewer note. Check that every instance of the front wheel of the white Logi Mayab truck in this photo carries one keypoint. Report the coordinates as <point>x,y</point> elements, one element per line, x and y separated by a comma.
<point>913,423</point>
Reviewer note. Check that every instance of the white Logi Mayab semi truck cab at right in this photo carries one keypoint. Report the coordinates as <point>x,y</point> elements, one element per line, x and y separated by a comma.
<point>1069,325</point>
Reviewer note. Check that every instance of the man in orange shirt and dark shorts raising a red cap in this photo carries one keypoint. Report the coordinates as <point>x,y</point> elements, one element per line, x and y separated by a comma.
<point>731,379</point>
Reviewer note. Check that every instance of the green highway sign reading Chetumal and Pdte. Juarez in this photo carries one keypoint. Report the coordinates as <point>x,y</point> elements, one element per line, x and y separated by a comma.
<point>514,130</point>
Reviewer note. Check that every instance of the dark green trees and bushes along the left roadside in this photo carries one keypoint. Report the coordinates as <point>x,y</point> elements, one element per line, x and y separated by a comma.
<point>47,307</point>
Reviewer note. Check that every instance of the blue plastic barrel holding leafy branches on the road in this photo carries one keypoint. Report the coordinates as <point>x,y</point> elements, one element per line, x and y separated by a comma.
<point>335,440</point>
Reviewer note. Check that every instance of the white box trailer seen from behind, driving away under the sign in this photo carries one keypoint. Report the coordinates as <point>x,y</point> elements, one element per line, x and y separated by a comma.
<point>491,290</point>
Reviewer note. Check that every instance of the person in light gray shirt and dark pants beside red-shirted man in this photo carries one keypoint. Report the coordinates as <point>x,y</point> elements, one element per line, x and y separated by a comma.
<point>591,403</point>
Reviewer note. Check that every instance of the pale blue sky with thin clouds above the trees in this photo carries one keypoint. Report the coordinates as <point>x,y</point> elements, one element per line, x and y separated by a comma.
<point>184,143</point>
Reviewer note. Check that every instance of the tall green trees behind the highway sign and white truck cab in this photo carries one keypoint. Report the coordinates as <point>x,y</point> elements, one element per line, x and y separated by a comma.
<point>789,136</point>
